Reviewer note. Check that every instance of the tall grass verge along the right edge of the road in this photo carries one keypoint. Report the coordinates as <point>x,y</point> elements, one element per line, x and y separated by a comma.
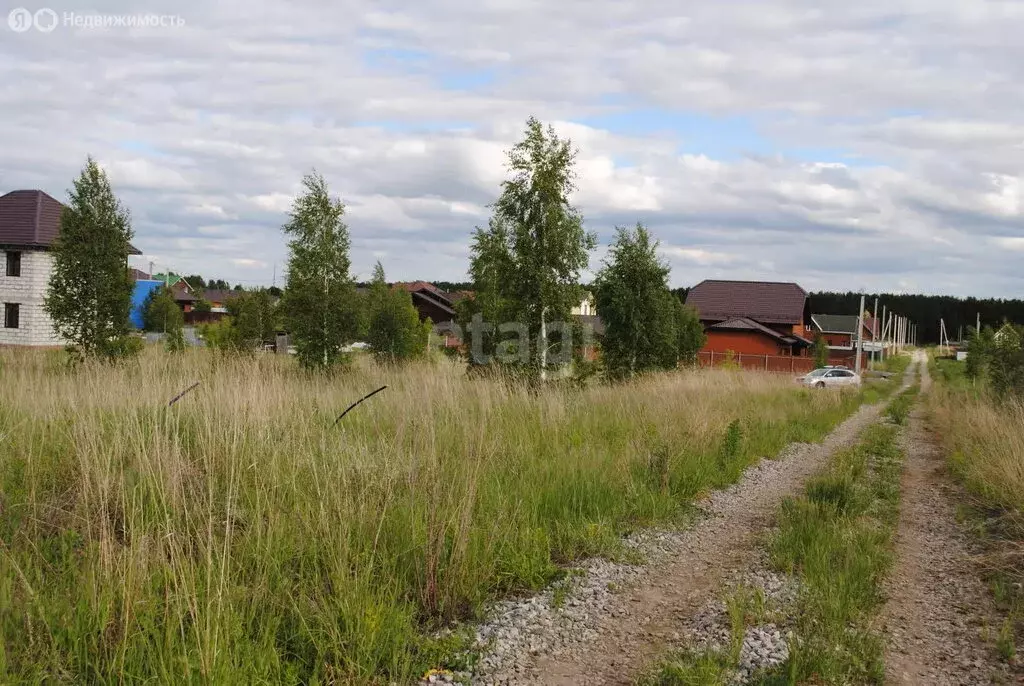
<point>984,440</point>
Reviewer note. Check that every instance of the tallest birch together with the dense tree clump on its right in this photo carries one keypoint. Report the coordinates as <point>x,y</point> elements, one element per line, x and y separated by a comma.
<point>526,270</point>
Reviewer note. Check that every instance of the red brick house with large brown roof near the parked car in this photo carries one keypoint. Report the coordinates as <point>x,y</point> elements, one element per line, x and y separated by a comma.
<point>753,318</point>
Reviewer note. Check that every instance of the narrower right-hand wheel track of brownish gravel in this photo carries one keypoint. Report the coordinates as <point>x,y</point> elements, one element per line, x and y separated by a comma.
<point>940,610</point>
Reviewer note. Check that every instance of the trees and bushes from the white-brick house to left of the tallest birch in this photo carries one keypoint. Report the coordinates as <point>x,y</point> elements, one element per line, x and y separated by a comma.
<point>90,296</point>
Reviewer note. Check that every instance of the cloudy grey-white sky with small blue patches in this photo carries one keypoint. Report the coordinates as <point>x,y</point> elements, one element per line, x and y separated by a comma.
<point>871,145</point>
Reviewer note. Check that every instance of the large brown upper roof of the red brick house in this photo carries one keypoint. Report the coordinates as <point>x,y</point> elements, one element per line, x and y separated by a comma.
<point>766,303</point>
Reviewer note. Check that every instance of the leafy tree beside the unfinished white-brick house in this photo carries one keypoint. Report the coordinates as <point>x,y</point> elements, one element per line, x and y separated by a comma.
<point>90,293</point>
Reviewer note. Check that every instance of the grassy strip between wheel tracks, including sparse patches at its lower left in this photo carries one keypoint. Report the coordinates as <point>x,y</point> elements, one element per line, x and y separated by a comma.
<point>837,541</point>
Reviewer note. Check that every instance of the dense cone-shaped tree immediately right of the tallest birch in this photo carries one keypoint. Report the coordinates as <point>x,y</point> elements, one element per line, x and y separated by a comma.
<point>638,310</point>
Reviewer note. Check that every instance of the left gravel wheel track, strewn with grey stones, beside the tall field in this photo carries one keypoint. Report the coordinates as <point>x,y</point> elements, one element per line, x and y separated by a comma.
<point>605,624</point>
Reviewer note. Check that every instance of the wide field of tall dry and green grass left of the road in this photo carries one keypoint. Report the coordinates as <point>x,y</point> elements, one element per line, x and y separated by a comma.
<point>240,537</point>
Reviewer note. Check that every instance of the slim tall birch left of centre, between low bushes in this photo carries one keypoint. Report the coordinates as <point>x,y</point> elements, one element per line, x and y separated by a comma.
<point>320,302</point>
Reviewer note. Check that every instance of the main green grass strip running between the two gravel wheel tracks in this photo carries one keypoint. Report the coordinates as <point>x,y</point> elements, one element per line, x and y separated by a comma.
<point>837,539</point>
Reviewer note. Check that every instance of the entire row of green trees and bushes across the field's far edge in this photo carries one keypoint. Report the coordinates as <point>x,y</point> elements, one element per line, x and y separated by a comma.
<point>526,268</point>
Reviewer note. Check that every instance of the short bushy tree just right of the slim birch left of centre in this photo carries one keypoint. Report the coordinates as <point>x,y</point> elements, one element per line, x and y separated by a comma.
<point>396,334</point>
